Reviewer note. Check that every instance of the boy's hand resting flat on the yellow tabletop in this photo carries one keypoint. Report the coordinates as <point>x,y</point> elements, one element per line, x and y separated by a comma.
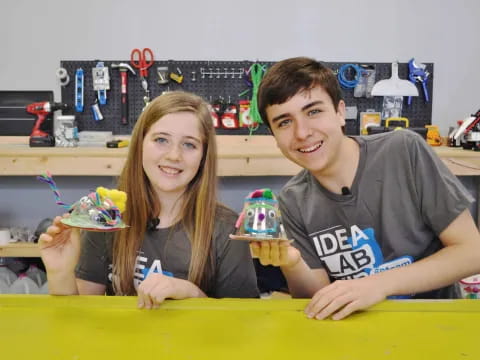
<point>343,297</point>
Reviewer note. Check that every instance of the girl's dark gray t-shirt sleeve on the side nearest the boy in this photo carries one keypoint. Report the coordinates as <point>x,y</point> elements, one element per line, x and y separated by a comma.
<point>235,273</point>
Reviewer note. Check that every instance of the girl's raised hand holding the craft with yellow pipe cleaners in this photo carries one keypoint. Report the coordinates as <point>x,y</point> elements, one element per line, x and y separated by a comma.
<point>59,247</point>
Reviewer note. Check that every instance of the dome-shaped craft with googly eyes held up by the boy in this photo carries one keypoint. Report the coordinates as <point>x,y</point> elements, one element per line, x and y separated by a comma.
<point>260,218</point>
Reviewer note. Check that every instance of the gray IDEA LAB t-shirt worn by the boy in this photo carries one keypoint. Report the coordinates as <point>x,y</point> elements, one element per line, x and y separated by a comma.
<point>402,198</point>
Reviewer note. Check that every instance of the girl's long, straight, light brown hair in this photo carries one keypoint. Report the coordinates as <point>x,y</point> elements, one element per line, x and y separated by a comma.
<point>199,200</point>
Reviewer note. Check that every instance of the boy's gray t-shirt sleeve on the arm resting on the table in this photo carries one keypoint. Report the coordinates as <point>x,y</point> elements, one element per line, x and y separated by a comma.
<point>440,194</point>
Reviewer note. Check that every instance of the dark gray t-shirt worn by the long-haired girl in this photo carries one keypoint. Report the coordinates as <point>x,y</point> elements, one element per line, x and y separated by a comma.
<point>168,251</point>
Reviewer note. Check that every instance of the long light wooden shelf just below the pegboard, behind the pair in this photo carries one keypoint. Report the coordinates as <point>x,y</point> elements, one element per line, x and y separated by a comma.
<point>238,156</point>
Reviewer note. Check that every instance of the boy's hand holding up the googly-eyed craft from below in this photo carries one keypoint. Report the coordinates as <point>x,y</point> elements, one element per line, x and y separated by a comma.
<point>276,253</point>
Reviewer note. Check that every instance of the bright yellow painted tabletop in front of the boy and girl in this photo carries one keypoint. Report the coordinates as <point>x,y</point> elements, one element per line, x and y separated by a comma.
<point>88,327</point>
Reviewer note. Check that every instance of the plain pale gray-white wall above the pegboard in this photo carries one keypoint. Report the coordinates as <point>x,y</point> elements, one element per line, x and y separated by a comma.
<point>36,35</point>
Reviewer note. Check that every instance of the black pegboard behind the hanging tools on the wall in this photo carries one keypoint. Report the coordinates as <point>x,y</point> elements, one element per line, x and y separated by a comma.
<point>213,80</point>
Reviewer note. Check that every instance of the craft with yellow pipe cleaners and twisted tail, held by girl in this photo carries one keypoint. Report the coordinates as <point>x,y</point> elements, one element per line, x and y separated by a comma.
<point>100,210</point>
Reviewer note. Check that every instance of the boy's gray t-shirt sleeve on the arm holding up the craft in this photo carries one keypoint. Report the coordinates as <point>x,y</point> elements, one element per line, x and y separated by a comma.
<point>291,218</point>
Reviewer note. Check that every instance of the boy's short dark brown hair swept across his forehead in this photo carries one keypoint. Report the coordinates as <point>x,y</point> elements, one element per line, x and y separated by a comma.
<point>287,77</point>
